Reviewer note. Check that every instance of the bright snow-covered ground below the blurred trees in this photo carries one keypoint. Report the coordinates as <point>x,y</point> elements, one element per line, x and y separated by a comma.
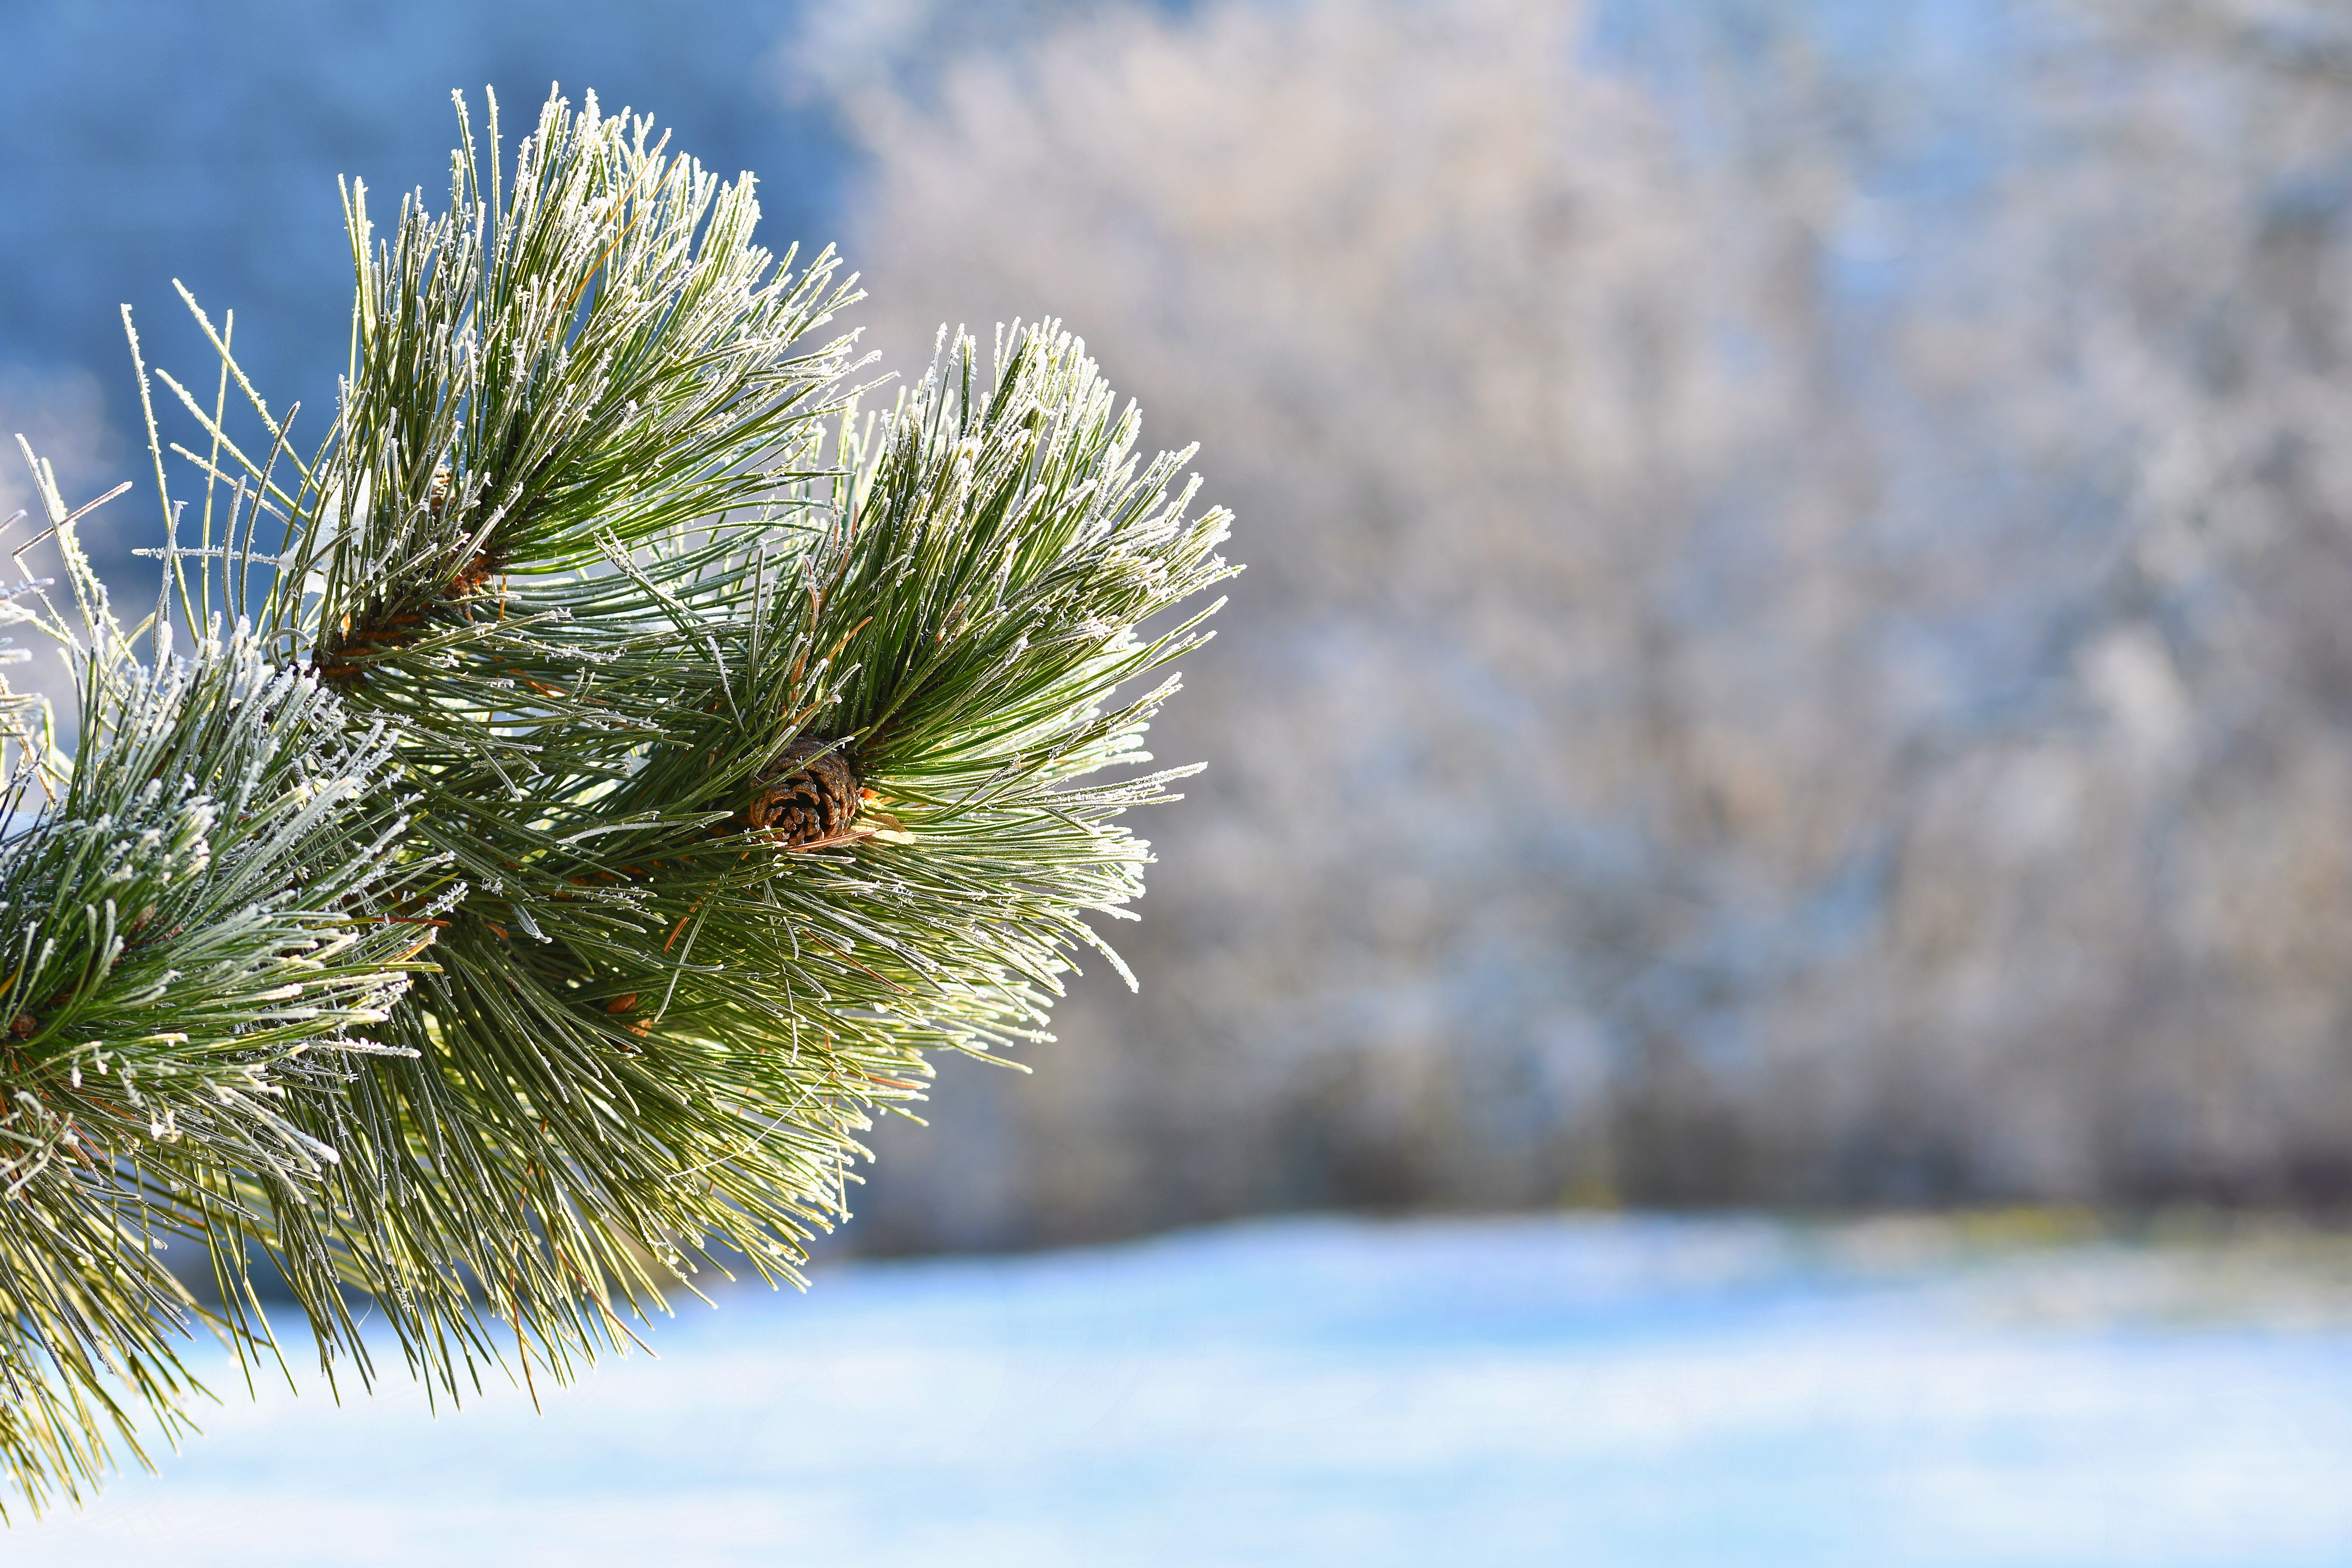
<point>1307,1393</point>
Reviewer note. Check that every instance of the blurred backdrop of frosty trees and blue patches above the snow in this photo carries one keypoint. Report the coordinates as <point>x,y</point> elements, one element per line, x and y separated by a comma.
<point>1796,641</point>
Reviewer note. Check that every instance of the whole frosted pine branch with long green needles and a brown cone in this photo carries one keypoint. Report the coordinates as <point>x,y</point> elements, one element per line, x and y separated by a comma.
<point>686,751</point>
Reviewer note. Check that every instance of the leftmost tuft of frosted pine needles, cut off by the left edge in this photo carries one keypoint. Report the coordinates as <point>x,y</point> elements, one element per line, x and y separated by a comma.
<point>192,937</point>
